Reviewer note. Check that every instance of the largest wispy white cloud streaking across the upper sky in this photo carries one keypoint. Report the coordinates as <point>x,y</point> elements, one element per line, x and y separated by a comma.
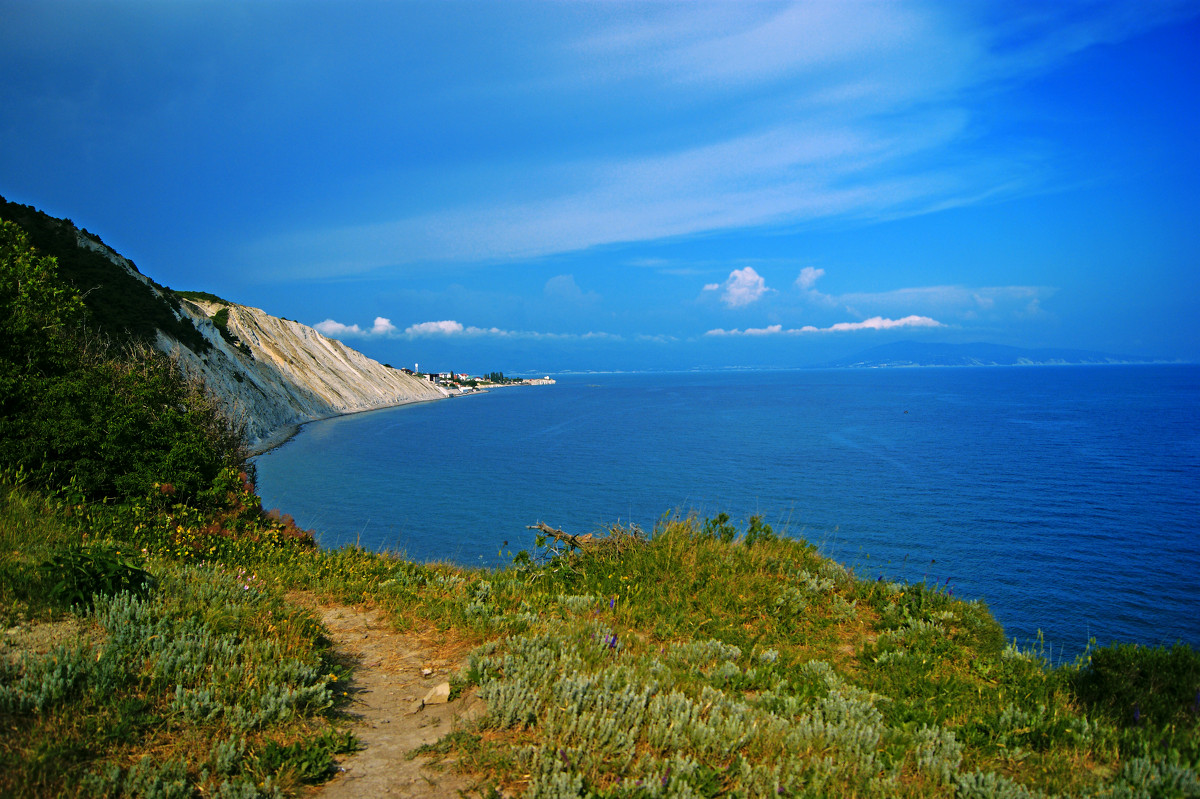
<point>872,116</point>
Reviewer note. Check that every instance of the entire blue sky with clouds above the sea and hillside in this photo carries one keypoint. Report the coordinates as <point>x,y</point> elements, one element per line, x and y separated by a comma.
<point>547,187</point>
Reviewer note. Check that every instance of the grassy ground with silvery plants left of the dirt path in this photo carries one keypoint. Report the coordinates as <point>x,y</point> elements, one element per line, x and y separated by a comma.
<point>199,680</point>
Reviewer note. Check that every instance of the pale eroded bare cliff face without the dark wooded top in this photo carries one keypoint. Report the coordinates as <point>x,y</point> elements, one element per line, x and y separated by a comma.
<point>289,374</point>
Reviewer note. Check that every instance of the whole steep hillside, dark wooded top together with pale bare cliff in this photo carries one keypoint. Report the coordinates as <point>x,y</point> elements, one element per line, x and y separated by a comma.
<point>271,374</point>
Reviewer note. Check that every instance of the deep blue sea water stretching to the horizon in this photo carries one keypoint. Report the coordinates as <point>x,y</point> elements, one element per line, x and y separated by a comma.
<point>1067,498</point>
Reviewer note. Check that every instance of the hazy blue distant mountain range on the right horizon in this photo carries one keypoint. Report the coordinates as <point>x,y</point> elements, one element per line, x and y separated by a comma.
<point>911,353</point>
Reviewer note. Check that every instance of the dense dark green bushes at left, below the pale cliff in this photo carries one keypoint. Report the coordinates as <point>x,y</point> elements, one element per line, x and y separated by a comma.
<point>75,410</point>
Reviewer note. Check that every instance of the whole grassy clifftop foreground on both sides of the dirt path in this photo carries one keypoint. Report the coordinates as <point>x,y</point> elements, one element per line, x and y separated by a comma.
<point>700,660</point>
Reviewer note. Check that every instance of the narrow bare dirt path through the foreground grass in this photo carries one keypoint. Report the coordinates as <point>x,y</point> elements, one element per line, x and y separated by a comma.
<point>394,674</point>
